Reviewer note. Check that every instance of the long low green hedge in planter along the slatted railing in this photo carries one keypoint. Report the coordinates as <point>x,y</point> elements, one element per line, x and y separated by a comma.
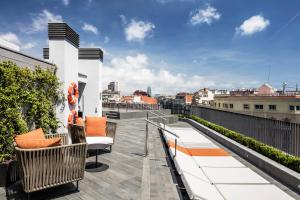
<point>277,155</point>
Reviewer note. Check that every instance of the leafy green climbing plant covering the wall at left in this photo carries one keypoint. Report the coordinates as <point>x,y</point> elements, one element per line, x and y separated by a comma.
<point>27,101</point>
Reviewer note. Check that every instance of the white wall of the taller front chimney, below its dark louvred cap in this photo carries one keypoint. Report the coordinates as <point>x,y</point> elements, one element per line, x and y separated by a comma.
<point>65,56</point>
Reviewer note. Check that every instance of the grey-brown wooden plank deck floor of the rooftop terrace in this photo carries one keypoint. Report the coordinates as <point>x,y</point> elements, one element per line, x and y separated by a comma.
<point>129,175</point>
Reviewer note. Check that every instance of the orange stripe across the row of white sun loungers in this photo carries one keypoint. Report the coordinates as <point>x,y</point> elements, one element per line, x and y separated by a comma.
<point>199,151</point>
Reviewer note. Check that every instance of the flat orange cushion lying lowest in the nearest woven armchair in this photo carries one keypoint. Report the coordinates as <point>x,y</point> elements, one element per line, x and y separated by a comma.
<point>37,143</point>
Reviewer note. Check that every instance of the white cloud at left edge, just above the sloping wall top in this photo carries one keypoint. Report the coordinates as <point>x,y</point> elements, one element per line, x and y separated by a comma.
<point>11,40</point>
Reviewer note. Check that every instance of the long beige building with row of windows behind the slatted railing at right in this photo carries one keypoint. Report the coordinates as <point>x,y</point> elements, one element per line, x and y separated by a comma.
<point>280,107</point>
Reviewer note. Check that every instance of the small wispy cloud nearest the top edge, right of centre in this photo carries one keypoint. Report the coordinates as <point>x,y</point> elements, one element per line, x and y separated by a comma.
<point>207,15</point>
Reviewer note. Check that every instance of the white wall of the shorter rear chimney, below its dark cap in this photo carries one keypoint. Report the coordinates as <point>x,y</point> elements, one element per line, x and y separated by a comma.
<point>93,70</point>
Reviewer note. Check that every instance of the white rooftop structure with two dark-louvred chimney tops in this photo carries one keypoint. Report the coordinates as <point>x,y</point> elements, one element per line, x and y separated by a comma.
<point>82,66</point>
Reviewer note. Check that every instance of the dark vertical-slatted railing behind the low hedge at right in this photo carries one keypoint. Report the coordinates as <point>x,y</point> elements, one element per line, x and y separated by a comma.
<point>279,134</point>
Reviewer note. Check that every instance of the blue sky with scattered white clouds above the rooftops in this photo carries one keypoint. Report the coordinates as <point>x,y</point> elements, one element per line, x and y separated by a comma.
<point>171,45</point>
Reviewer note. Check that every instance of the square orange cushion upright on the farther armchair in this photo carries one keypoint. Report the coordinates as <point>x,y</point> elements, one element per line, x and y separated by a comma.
<point>95,126</point>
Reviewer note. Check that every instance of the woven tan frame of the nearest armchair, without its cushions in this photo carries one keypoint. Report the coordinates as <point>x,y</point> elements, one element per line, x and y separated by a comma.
<point>52,166</point>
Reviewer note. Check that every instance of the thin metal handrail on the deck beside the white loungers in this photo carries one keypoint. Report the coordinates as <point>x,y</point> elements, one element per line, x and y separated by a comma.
<point>159,127</point>
